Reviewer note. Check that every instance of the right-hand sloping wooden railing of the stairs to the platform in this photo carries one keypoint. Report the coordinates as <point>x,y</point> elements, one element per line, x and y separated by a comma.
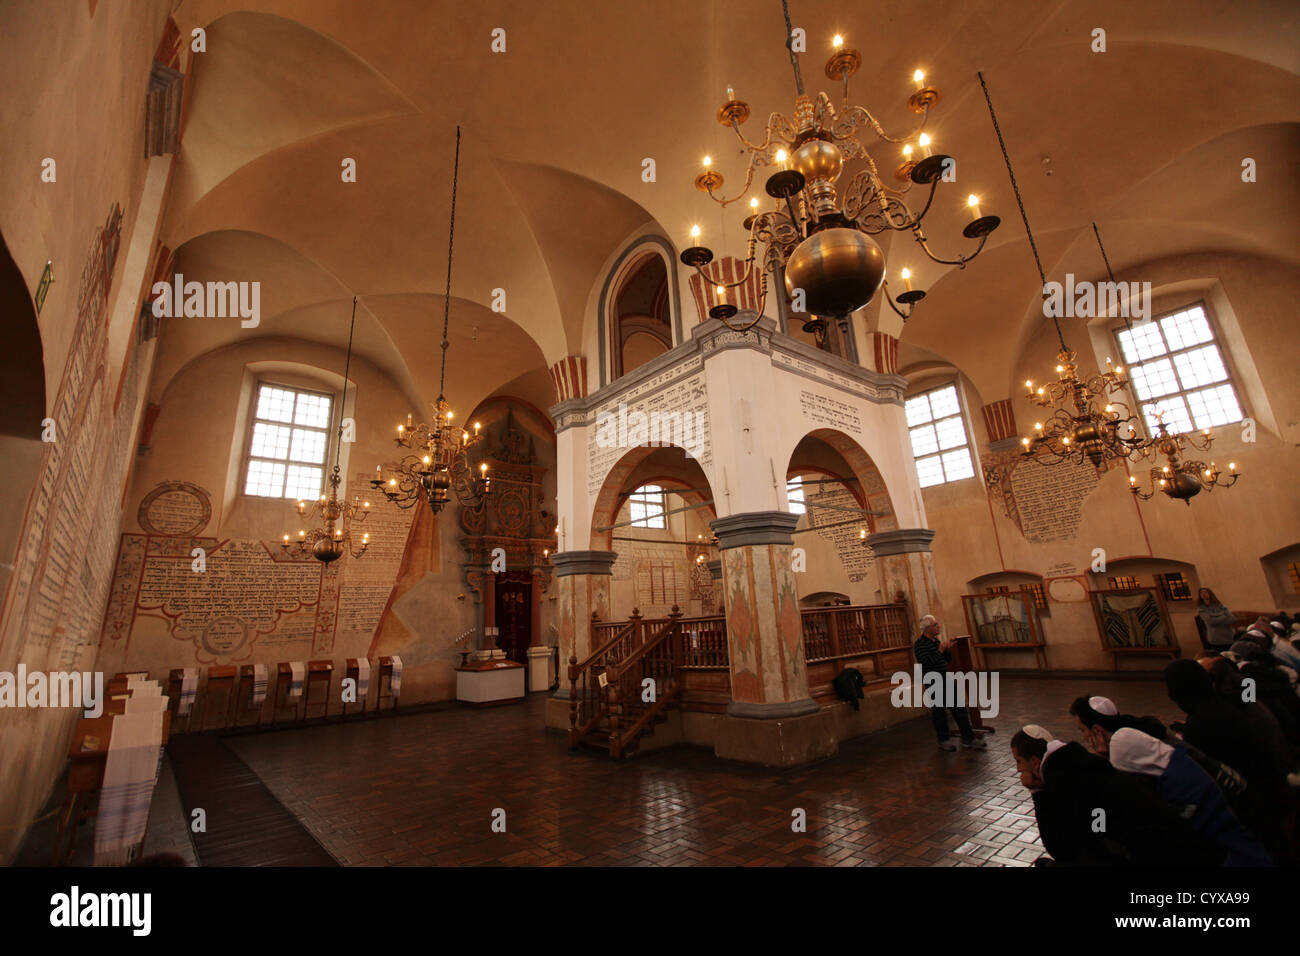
<point>658,660</point>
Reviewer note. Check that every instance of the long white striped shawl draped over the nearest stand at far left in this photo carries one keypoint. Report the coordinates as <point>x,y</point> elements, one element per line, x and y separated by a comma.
<point>131,772</point>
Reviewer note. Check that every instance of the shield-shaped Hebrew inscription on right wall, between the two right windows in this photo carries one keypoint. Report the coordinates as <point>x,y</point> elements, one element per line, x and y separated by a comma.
<point>1045,501</point>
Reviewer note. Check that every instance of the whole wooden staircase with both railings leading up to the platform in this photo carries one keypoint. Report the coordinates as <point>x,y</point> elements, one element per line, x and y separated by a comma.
<point>626,687</point>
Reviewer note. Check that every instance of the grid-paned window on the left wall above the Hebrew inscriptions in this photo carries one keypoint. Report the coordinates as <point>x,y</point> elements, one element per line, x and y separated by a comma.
<point>288,443</point>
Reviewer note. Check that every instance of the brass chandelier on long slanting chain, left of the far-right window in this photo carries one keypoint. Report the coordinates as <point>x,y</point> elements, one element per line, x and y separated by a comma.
<point>1086,423</point>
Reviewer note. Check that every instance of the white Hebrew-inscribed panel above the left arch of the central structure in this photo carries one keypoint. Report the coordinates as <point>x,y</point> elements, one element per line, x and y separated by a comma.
<point>665,409</point>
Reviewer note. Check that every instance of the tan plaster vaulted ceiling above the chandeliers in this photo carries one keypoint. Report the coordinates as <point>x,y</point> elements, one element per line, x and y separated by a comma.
<point>1146,139</point>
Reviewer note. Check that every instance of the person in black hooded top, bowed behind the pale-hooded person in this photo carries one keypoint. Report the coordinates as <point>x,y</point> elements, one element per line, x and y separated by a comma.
<point>1221,729</point>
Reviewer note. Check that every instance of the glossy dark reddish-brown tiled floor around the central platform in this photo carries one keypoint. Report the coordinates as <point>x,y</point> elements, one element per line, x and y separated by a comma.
<point>423,790</point>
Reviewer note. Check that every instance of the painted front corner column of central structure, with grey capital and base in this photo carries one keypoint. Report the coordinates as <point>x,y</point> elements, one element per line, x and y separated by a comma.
<point>772,719</point>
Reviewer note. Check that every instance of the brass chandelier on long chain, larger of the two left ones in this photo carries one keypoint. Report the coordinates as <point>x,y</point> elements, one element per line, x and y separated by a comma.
<point>440,452</point>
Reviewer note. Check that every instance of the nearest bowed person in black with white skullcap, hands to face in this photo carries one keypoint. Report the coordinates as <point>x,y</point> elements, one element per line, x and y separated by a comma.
<point>1094,815</point>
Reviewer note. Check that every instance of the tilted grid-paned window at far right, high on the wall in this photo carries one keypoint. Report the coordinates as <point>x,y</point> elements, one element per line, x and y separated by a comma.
<point>1177,369</point>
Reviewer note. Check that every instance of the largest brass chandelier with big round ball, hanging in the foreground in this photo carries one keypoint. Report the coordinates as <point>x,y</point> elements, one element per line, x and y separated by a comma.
<point>821,243</point>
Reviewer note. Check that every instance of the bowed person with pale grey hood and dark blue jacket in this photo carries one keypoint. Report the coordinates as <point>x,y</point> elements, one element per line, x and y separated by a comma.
<point>1189,790</point>
